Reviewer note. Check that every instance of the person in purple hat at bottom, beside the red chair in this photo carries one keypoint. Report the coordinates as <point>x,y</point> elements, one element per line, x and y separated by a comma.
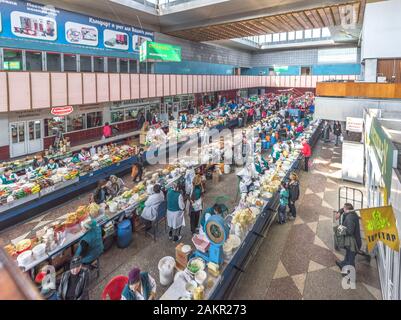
<point>140,286</point>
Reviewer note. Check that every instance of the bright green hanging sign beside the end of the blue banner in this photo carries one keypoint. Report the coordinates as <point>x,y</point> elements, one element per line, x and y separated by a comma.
<point>155,51</point>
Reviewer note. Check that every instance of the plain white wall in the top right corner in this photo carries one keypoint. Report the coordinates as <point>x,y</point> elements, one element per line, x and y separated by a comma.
<point>381,31</point>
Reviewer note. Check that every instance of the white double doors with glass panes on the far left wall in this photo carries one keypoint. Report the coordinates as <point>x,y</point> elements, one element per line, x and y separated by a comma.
<point>26,137</point>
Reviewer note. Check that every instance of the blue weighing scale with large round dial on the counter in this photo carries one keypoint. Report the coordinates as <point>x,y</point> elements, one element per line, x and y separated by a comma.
<point>217,232</point>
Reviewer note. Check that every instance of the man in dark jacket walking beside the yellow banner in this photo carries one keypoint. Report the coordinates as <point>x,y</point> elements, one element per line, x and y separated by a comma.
<point>353,240</point>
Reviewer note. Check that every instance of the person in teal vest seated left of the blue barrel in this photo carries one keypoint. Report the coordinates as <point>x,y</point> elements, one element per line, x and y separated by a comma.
<point>91,244</point>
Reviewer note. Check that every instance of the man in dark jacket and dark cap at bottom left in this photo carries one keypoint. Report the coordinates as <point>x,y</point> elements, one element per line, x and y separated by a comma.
<point>74,283</point>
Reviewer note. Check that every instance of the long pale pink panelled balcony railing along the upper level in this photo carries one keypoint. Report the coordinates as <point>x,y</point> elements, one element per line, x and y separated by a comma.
<point>39,90</point>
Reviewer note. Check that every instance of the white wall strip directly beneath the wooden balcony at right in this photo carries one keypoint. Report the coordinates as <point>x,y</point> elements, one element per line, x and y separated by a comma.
<point>338,109</point>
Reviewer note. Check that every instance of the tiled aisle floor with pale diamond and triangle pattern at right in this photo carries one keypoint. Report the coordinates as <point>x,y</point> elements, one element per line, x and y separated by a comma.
<point>297,260</point>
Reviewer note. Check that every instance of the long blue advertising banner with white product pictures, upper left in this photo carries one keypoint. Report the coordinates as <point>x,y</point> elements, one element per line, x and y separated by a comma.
<point>28,25</point>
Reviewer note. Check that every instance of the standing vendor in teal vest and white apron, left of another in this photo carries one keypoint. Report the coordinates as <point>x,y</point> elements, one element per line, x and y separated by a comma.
<point>175,213</point>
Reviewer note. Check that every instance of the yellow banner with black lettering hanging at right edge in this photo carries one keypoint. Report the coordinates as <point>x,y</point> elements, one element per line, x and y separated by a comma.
<point>379,225</point>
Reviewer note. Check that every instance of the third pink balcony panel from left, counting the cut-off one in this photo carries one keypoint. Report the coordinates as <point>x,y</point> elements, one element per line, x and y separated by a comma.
<point>40,87</point>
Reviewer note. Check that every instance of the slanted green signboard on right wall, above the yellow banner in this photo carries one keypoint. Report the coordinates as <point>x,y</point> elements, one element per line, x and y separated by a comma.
<point>384,150</point>
